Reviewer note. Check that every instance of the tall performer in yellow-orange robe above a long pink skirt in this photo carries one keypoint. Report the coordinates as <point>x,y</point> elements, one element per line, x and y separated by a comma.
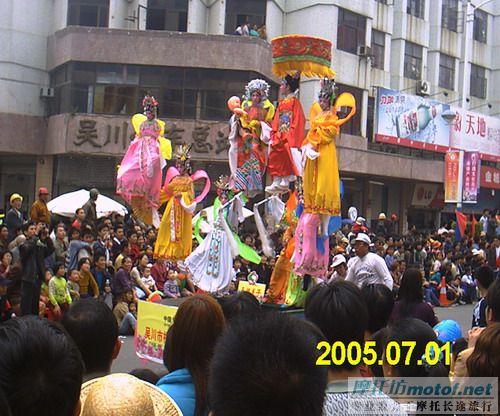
<point>321,182</point>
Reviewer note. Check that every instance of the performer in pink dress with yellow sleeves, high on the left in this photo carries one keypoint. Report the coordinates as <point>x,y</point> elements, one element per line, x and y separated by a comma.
<point>140,173</point>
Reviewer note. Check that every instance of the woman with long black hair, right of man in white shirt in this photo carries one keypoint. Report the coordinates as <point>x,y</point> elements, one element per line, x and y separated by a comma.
<point>410,302</point>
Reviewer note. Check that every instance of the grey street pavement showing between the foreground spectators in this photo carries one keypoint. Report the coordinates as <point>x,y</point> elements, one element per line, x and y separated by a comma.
<point>128,360</point>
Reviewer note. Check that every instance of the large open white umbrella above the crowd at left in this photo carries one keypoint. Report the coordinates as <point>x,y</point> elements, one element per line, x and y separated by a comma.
<point>67,204</point>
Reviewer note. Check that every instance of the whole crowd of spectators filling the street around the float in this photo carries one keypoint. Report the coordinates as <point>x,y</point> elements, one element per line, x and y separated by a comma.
<point>229,355</point>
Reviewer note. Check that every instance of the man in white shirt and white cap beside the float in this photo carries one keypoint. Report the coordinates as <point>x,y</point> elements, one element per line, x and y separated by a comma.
<point>367,268</point>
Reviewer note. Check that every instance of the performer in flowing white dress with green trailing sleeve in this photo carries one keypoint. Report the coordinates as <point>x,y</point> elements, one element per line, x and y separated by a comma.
<point>211,263</point>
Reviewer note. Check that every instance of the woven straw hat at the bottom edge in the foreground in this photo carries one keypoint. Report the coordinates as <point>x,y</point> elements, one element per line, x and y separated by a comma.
<point>123,394</point>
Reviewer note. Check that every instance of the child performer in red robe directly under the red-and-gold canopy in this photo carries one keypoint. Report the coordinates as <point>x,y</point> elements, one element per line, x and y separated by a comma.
<point>287,135</point>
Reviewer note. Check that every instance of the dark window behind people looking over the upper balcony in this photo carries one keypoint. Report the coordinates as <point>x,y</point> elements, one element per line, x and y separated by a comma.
<point>239,12</point>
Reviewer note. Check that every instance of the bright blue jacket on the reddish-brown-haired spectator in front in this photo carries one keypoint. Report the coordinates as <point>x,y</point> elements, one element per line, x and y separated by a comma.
<point>179,386</point>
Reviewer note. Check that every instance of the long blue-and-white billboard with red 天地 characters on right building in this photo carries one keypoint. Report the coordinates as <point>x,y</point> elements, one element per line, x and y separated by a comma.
<point>417,122</point>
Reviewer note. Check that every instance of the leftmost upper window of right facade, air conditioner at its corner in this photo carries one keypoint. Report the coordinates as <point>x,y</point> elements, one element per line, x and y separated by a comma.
<point>351,31</point>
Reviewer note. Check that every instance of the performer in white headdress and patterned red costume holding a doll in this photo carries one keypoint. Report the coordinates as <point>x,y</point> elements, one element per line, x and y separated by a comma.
<point>249,135</point>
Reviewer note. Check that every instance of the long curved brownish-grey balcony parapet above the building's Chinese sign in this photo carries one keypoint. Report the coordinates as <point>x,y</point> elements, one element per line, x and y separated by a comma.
<point>159,48</point>
